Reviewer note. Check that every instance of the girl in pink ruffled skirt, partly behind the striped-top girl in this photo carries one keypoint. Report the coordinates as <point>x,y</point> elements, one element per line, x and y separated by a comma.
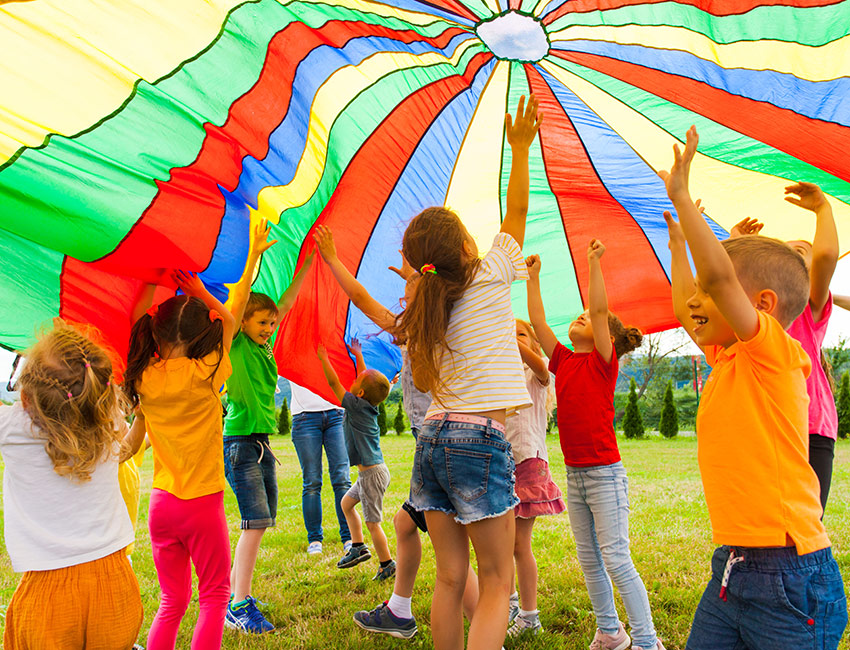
<point>537,492</point>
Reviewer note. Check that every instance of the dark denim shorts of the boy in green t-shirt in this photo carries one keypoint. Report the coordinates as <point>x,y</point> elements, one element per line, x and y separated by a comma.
<point>249,467</point>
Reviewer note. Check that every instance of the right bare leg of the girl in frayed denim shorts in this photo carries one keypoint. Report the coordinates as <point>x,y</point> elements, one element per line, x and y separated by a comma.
<point>493,540</point>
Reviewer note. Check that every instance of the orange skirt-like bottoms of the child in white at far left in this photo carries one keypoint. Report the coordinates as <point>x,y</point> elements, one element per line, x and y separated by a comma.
<point>95,605</point>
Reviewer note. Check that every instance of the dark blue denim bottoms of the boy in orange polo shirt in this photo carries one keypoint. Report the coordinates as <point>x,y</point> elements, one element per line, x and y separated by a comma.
<point>775,600</point>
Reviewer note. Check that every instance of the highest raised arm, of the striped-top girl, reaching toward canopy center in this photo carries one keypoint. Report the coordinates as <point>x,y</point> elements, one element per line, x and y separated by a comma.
<point>520,133</point>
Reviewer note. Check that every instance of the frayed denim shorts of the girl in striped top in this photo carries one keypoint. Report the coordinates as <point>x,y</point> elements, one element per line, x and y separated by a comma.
<point>463,469</point>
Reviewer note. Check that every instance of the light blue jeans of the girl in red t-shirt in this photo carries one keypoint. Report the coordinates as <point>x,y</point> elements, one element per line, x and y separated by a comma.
<point>598,505</point>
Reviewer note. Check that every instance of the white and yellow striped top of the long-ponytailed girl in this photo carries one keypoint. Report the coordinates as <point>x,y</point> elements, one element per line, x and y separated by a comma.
<point>483,371</point>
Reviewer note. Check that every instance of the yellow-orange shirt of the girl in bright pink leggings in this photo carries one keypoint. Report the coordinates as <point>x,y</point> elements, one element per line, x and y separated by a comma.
<point>183,415</point>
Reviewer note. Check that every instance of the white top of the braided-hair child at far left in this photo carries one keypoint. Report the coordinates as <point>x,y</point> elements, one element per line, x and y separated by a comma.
<point>52,522</point>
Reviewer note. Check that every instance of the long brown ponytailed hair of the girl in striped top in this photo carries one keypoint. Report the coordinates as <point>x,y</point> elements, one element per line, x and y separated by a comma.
<point>434,236</point>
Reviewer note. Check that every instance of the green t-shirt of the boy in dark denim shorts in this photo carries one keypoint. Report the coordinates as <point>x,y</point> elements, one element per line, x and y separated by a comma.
<point>250,389</point>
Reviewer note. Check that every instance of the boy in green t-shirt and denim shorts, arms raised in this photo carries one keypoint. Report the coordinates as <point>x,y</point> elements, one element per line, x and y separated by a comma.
<point>249,464</point>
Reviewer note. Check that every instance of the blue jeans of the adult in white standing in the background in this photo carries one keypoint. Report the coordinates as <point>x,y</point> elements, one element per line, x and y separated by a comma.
<point>310,432</point>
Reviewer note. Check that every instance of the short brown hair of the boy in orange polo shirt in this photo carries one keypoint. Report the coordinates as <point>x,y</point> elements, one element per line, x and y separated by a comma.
<point>764,263</point>
